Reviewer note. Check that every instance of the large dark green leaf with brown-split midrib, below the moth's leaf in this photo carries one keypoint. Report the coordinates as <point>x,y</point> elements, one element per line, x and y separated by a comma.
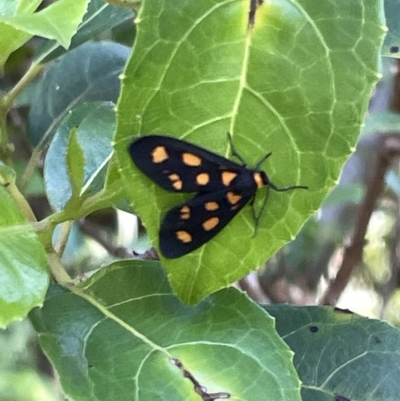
<point>226,342</point>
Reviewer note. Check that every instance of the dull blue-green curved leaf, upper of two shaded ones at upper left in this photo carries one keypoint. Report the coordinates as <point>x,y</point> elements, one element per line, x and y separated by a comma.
<point>85,74</point>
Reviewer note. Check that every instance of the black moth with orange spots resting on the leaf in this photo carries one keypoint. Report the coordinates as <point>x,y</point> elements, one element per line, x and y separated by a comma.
<point>221,186</point>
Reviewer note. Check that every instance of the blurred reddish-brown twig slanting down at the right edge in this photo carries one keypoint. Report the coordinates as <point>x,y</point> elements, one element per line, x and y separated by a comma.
<point>388,148</point>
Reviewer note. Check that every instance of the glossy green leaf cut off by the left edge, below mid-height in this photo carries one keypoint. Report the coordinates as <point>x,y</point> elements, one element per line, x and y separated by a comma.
<point>23,264</point>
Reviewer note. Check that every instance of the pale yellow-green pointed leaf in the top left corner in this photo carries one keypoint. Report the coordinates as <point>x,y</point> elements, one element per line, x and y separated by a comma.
<point>50,22</point>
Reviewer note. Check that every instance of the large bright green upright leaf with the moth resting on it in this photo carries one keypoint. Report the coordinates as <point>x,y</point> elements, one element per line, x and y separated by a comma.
<point>297,84</point>
